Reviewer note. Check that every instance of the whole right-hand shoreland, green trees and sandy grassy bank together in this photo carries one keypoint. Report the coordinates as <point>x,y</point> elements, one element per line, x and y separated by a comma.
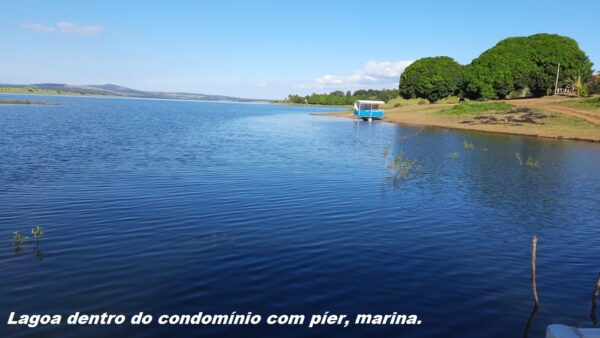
<point>539,85</point>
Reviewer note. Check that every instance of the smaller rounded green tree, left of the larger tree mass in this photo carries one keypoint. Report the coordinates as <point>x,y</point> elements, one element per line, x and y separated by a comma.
<point>432,78</point>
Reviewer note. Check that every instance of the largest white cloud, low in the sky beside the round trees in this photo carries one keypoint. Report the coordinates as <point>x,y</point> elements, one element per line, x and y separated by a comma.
<point>377,74</point>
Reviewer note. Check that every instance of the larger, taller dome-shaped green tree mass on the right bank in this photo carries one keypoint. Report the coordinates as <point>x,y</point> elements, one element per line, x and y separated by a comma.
<point>520,63</point>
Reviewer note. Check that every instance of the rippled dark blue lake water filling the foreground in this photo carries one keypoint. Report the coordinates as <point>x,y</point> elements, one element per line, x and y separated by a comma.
<point>174,207</point>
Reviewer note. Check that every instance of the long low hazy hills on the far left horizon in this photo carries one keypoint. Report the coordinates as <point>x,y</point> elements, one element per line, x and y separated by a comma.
<point>112,90</point>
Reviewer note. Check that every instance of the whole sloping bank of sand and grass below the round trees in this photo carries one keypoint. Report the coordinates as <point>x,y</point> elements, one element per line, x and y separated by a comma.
<point>553,117</point>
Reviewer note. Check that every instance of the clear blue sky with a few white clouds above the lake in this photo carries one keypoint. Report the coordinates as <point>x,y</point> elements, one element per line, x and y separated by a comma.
<point>264,49</point>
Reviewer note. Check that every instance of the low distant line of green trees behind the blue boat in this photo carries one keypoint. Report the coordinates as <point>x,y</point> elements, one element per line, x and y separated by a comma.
<point>340,98</point>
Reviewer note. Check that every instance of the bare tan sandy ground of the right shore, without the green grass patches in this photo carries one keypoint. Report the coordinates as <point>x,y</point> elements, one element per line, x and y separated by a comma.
<point>561,122</point>
